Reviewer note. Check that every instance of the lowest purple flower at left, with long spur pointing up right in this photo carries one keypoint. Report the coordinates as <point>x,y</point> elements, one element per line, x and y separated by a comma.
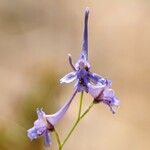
<point>44,125</point>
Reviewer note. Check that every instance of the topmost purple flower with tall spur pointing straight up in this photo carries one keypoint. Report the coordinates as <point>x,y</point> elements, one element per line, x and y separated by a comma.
<point>81,70</point>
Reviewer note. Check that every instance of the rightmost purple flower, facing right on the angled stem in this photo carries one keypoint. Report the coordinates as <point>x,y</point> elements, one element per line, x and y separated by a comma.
<point>104,94</point>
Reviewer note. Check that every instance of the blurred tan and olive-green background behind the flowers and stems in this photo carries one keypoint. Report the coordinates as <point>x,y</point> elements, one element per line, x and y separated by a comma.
<point>35,38</point>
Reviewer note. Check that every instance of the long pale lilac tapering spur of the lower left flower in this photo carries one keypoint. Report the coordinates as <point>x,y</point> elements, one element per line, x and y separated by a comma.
<point>54,118</point>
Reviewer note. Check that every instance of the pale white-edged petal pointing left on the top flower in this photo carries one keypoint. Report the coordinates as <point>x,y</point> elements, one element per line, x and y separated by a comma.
<point>70,77</point>
